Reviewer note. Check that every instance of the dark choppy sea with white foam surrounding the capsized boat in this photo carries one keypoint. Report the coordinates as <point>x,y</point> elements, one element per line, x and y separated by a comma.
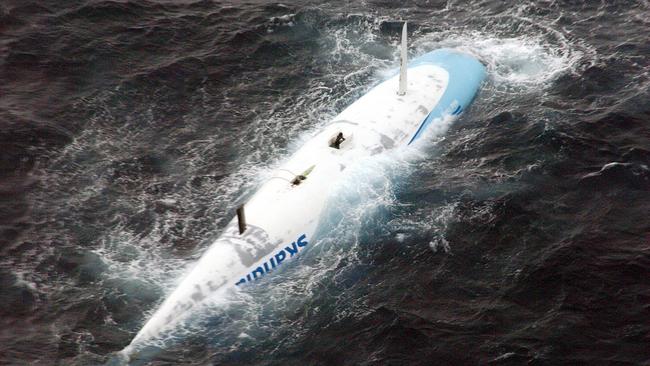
<point>518,235</point>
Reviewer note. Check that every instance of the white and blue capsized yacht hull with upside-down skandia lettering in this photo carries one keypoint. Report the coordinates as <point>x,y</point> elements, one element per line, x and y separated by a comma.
<point>282,216</point>
